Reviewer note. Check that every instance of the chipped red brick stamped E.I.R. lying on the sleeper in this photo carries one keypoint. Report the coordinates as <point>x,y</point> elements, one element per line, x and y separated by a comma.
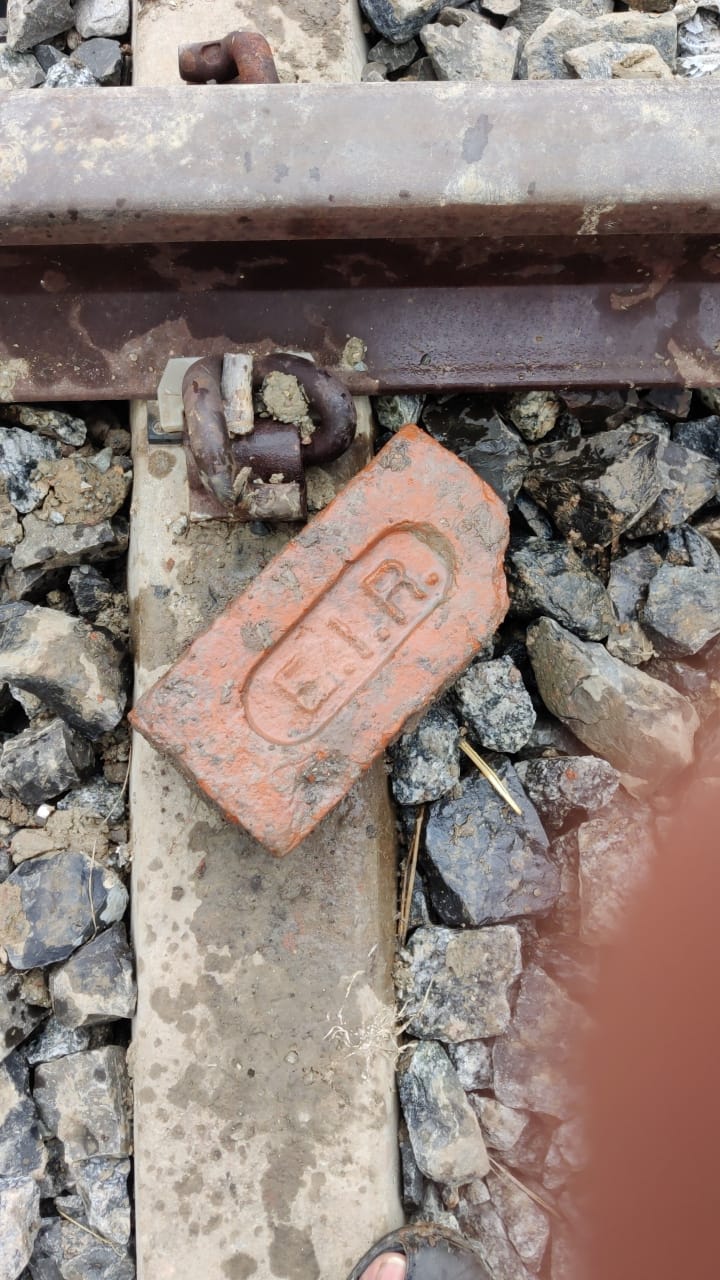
<point>353,629</point>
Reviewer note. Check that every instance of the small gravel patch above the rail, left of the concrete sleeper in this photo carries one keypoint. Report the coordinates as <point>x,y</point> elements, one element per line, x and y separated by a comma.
<point>65,44</point>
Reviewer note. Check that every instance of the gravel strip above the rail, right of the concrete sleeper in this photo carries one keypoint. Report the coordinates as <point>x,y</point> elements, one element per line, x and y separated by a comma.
<point>504,40</point>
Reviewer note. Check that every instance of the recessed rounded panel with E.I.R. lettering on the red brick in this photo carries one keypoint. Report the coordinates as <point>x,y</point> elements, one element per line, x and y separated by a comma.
<point>348,636</point>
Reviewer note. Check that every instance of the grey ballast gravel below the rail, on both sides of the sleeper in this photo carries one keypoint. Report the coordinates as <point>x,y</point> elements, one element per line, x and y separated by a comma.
<point>586,703</point>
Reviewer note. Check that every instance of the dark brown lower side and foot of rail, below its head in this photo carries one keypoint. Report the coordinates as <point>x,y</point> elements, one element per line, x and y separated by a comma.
<point>102,322</point>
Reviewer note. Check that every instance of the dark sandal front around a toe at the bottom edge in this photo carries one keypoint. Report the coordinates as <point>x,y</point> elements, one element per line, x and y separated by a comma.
<point>432,1254</point>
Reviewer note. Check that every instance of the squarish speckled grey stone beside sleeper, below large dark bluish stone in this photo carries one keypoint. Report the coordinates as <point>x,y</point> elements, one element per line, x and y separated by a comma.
<point>455,982</point>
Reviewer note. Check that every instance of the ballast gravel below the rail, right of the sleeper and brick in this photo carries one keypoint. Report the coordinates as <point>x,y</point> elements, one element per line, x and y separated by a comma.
<point>586,705</point>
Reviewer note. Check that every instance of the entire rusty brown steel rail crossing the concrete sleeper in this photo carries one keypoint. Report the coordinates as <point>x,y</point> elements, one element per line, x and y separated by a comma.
<point>468,235</point>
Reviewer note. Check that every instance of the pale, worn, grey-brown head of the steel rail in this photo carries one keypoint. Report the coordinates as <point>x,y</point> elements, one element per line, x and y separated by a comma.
<point>315,162</point>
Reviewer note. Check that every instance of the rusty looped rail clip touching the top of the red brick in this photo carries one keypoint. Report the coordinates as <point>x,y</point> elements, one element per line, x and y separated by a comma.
<point>261,474</point>
